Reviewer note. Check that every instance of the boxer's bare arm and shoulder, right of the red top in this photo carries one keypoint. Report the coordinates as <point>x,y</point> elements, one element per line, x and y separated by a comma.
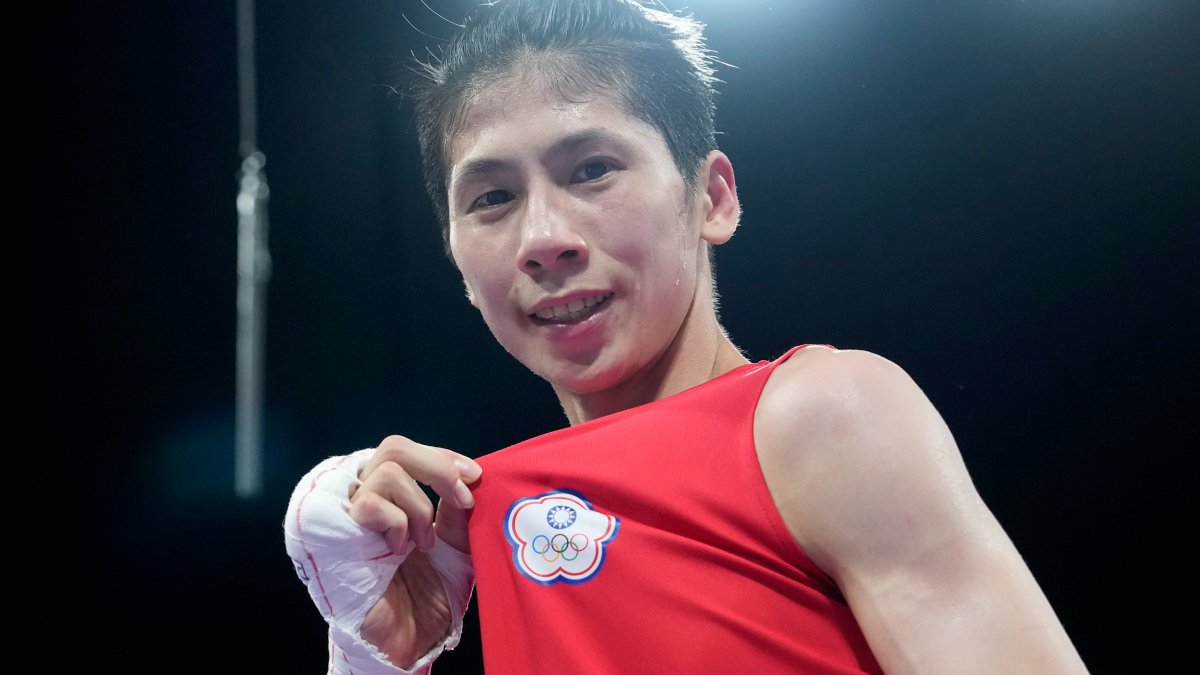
<point>872,485</point>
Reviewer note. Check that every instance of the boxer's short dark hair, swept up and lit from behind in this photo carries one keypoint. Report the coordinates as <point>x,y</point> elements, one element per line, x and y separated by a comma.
<point>655,62</point>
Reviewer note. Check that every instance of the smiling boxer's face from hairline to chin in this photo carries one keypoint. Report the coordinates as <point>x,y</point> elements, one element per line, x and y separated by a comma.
<point>575,235</point>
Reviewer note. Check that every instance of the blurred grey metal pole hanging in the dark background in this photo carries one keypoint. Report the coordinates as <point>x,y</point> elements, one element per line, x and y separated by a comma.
<point>254,271</point>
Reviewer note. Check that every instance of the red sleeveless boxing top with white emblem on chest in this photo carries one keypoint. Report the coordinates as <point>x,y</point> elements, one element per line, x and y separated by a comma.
<point>647,542</point>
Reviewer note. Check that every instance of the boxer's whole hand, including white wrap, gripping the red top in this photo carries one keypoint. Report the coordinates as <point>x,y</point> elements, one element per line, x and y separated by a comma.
<point>389,575</point>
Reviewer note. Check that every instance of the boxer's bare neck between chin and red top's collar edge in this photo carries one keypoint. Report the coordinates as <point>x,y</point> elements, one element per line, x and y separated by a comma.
<point>699,354</point>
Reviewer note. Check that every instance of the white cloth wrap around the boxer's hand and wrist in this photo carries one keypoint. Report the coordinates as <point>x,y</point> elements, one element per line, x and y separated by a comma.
<point>347,568</point>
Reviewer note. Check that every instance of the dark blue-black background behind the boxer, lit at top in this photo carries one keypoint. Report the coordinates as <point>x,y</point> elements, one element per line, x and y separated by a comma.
<point>999,196</point>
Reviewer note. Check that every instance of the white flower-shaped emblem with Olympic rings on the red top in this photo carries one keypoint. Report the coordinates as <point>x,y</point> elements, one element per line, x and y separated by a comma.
<point>559,537</point>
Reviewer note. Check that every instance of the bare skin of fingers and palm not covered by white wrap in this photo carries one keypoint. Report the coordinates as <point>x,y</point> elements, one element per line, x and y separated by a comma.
<point>415,613</point>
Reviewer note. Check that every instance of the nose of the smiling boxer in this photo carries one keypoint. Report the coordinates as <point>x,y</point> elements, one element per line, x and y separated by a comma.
<point>549,240</point>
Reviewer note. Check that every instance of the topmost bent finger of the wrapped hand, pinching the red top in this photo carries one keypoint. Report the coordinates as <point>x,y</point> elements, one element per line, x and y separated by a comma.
<point>446,473</point>
